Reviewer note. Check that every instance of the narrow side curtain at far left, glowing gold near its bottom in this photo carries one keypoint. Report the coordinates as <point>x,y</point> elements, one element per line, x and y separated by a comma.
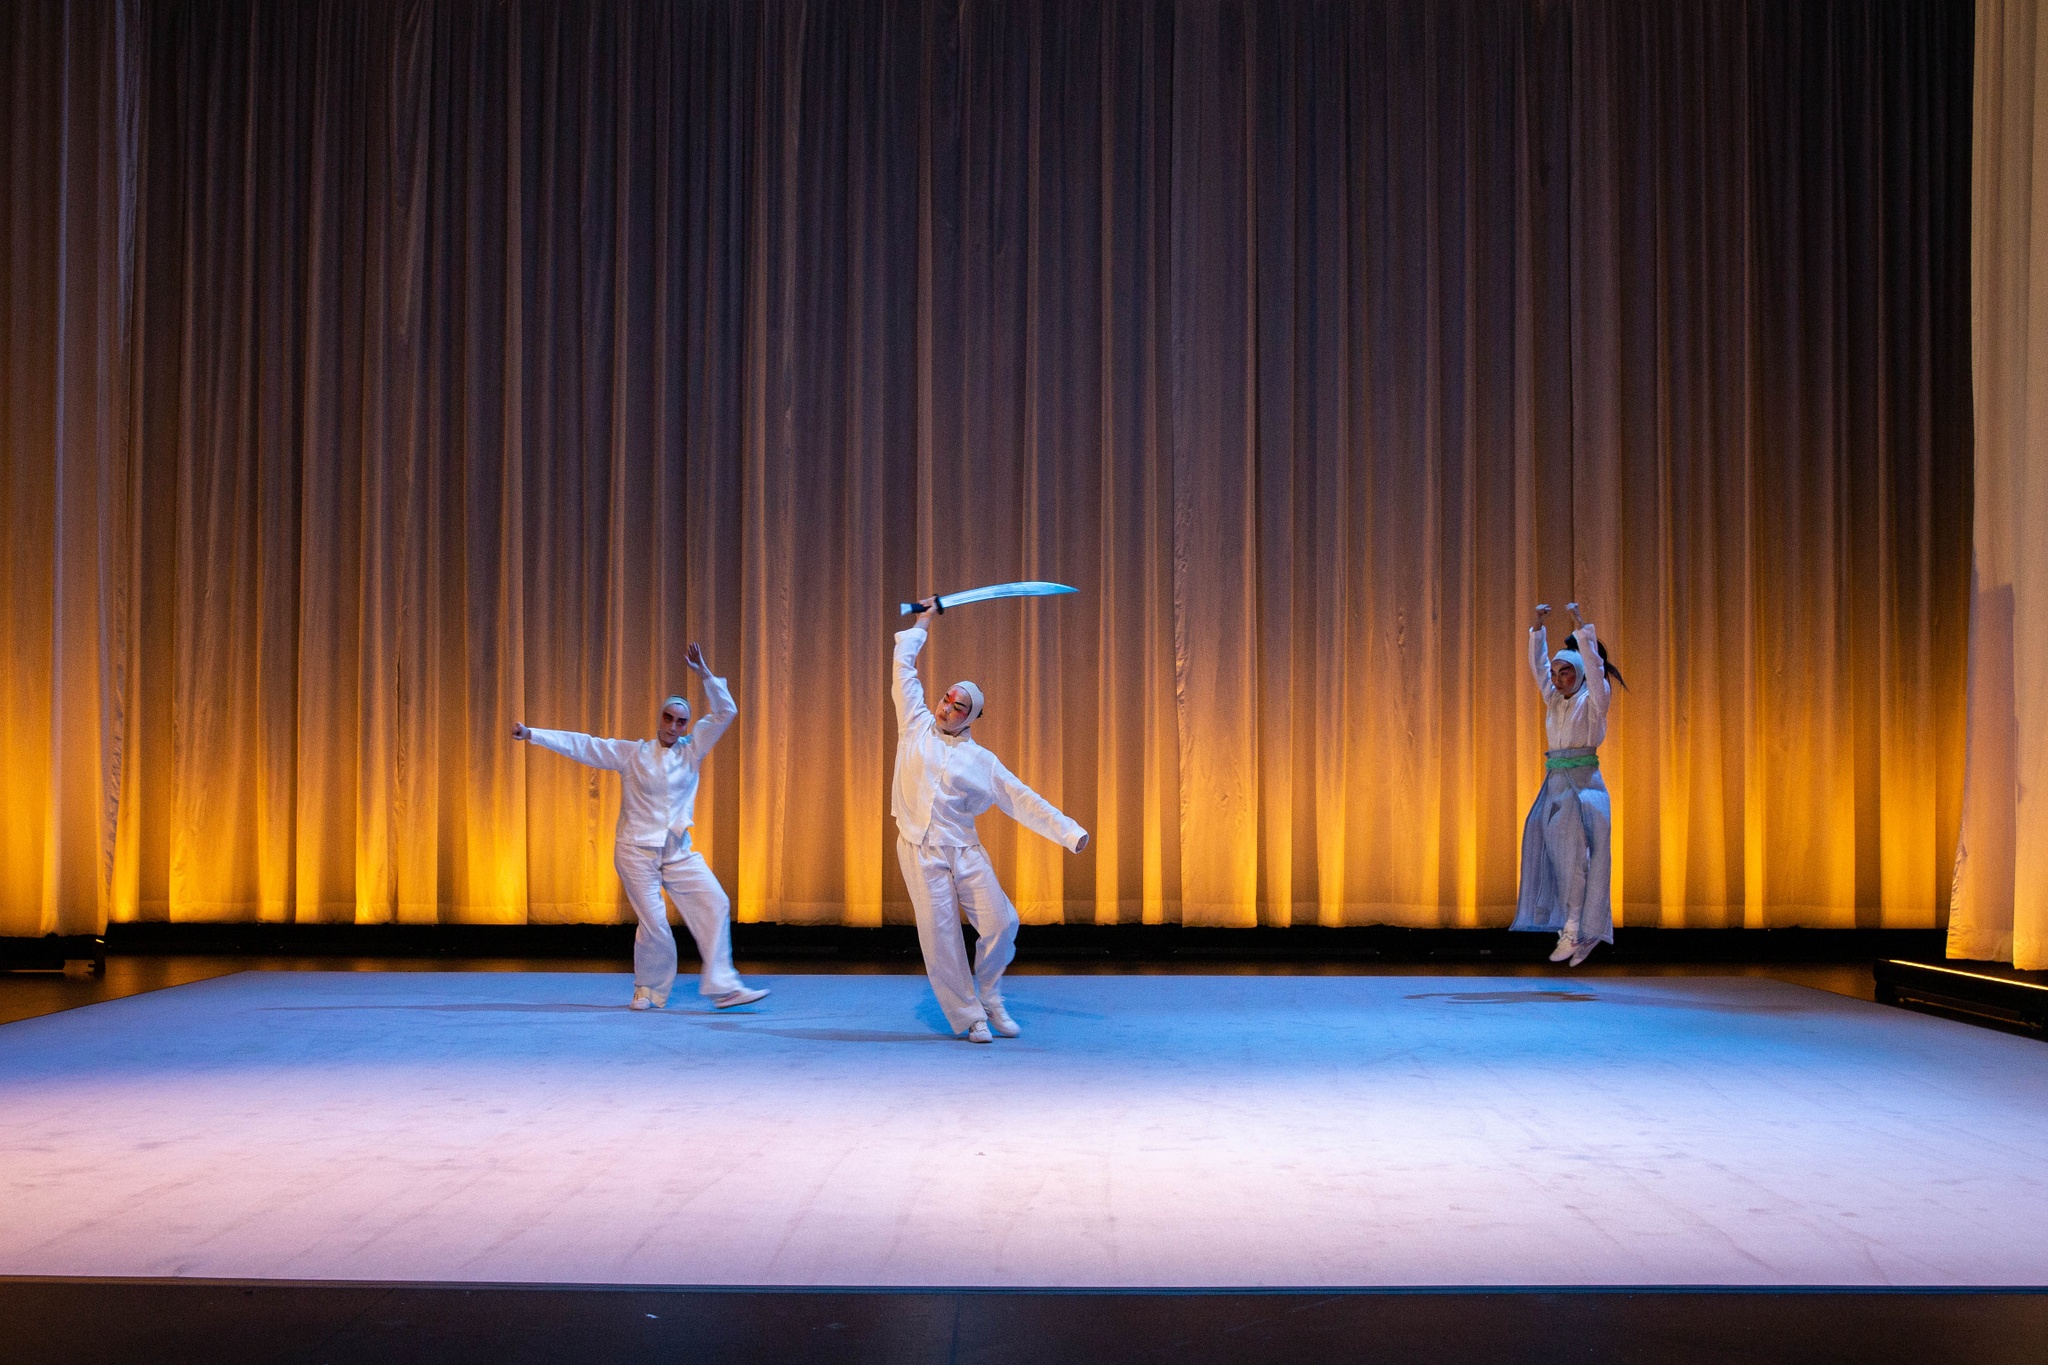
<point>71,234</point>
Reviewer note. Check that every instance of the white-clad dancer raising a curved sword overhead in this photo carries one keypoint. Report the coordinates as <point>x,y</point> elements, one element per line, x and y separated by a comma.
<point>943,781</point>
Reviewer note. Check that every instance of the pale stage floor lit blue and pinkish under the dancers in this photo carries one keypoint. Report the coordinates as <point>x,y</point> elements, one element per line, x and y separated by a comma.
<point>1146,1133</point>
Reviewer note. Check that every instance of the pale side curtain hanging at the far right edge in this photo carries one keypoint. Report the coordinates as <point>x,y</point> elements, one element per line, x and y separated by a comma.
<point>2002,877</point>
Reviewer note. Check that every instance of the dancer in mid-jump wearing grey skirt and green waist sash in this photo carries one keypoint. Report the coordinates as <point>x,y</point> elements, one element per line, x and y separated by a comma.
<point>1568,850</point>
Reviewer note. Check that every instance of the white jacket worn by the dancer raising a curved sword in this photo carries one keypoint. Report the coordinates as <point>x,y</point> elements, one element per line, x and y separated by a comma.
<point>945,781</point>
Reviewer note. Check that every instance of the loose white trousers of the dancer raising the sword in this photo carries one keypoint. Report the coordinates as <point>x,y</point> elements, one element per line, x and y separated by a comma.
<point>949,885</point>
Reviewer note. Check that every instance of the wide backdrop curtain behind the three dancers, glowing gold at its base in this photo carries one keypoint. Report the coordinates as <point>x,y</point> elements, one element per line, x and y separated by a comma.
<point>493,353</point>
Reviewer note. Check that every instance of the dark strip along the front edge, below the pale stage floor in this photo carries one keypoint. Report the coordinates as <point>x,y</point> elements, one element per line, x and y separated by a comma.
<point>278,1321</point>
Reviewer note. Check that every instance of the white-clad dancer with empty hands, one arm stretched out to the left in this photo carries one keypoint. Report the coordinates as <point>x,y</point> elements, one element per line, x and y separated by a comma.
<point>656,809</point>
